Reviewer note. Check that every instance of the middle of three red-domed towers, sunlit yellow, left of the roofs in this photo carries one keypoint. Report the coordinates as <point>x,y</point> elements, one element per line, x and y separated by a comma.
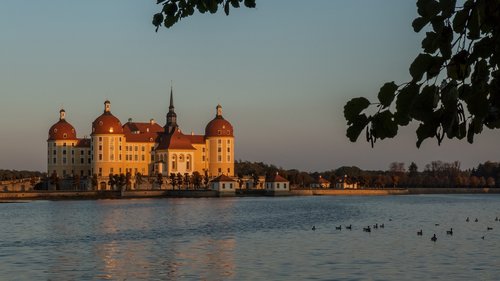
<point>107,142</point>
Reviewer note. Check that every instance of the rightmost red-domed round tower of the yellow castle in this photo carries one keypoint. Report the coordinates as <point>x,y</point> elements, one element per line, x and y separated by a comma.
<point>220,143</point>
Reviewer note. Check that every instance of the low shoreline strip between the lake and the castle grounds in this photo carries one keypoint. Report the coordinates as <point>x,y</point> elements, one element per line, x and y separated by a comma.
<point>16,197</point>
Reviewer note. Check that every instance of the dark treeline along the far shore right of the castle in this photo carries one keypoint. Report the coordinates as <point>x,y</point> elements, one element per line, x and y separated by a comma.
<point>434,174</point>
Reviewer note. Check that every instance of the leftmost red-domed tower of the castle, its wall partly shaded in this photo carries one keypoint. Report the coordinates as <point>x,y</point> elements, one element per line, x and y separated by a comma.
<point>60,144</point>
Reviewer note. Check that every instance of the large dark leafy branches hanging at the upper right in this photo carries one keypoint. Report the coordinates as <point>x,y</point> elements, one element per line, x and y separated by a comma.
<point>461,47</point>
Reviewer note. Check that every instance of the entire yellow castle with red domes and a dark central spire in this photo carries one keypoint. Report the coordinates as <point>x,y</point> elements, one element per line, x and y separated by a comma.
<point>144,148</point>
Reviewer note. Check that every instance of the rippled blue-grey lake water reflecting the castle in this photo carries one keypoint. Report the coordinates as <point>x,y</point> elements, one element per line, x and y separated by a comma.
<point>253,238</point>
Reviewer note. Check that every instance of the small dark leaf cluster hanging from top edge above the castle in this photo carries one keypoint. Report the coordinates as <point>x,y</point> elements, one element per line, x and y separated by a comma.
<point>175,10</point>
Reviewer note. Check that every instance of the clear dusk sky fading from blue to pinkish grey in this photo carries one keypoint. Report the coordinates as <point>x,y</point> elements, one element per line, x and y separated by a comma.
<point>282,73</point>
